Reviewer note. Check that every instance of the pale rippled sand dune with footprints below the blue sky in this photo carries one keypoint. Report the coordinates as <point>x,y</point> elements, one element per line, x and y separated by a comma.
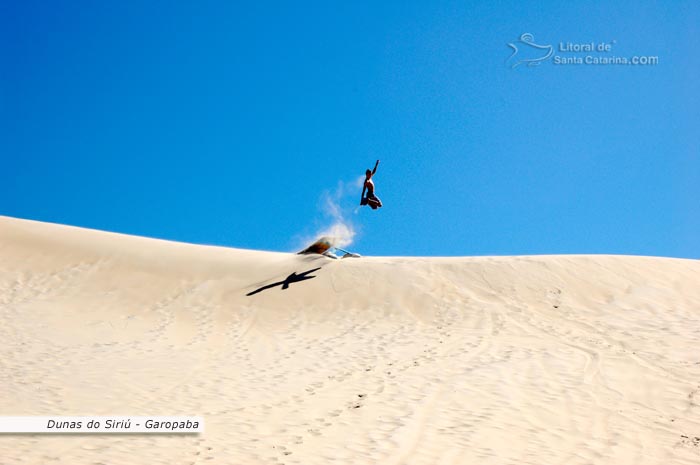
<point>490,360</point>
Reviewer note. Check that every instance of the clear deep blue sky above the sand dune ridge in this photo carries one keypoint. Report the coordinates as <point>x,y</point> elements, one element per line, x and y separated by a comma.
<point>223,123</point>
